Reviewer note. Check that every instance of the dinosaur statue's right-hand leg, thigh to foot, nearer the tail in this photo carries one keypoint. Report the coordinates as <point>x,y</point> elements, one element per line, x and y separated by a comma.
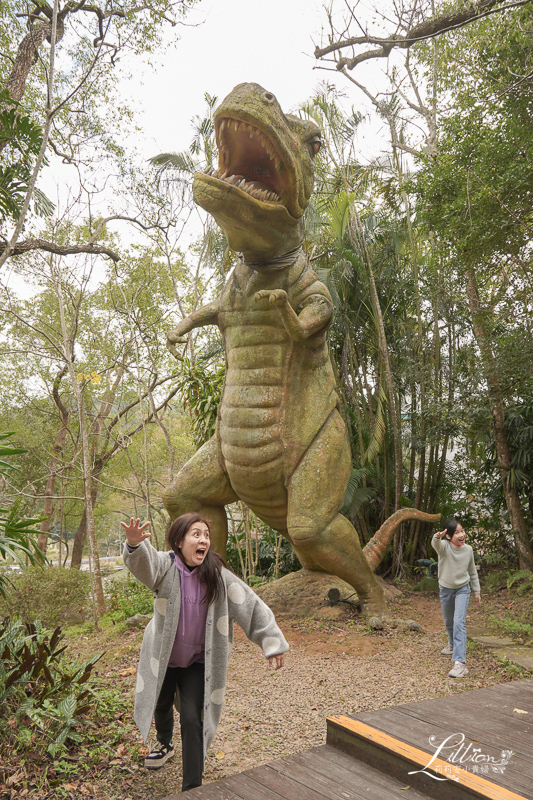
<point>322,538</point>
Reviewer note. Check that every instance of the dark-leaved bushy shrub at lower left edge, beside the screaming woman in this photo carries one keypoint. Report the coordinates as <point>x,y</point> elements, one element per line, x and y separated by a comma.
<point>43,694</point>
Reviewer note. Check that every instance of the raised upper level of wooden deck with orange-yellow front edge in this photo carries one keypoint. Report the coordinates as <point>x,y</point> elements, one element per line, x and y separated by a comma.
<point>489,721</point>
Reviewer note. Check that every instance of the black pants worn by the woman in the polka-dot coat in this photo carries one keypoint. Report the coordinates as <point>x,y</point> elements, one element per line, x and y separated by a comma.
<point>190,683</point>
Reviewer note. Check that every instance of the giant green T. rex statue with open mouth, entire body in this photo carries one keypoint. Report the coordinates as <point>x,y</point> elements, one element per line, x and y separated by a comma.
<point>281,444</point>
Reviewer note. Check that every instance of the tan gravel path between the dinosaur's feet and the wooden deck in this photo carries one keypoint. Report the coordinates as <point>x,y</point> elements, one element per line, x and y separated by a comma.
<point>332,668</point>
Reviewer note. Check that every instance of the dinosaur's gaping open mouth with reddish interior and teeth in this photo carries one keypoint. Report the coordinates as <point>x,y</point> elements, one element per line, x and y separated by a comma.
<point>249,161</point>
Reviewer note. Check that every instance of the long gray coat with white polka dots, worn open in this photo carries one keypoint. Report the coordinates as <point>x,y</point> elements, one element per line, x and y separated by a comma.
<point>239,604</point>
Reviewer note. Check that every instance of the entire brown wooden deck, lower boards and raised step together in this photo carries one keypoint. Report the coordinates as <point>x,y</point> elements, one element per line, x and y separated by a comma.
<point>369,756</point>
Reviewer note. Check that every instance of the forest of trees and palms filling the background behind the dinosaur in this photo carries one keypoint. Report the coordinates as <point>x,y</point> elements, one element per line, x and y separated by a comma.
<point>425,248</point>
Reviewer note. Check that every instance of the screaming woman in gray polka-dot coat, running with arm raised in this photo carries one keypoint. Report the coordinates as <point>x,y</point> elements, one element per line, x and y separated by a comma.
<point>186,646</point>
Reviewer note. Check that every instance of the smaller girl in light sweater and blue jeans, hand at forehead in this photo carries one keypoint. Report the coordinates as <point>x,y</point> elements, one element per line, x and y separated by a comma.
<point>457,573</point>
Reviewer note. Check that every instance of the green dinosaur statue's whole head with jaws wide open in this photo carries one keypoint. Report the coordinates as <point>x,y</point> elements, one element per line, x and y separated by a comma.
<point>265,173</point>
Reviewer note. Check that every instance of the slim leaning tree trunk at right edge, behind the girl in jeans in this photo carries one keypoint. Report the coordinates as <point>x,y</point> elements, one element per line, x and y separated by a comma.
<point>503,453</point>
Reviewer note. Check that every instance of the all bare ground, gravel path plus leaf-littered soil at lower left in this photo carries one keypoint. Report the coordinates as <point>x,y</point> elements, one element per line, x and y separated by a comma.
<point>334,666</point>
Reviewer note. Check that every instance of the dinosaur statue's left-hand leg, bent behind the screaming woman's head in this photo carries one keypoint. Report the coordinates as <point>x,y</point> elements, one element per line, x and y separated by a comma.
<point>202,486</point>
